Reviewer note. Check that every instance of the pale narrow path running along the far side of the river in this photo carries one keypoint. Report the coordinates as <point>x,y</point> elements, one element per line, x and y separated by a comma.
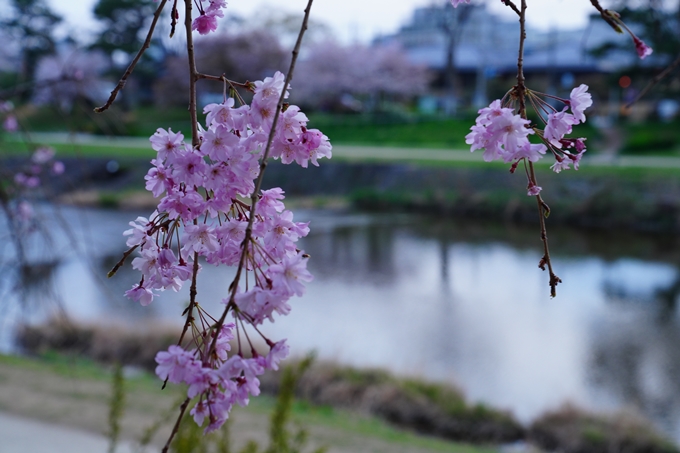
<point>373,152</point>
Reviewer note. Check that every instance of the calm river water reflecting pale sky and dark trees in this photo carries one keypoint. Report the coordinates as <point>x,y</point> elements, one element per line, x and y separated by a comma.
<point>457,302</point>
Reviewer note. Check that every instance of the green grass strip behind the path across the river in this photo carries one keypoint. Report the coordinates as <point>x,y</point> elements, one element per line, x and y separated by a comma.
<point>378,129</point>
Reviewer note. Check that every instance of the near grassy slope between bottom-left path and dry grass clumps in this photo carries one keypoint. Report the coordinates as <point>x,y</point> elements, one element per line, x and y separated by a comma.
<point>74,392</point>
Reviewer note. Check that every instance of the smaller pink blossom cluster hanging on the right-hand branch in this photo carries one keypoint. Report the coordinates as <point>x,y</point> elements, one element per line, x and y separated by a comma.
<point>503,134</point>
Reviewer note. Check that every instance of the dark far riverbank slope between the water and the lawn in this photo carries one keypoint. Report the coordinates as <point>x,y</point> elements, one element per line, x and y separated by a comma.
<point>636,194</point>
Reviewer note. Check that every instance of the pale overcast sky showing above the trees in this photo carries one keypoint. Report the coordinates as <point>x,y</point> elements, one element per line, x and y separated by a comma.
<point>362,19</point>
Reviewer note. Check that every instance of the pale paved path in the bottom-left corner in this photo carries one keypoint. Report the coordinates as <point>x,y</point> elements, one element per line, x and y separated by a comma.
<point>23,435</point>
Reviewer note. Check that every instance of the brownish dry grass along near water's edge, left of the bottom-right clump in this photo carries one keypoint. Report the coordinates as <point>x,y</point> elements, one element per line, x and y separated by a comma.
<point>428,408</point>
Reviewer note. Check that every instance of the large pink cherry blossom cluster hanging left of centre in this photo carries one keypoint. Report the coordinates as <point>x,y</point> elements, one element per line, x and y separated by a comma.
<point>201,214</point>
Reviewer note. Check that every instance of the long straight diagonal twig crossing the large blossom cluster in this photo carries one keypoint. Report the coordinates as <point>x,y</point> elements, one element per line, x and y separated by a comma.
<point>258,182</point>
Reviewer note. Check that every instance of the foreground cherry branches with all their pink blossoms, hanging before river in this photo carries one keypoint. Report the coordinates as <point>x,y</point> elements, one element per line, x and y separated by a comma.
<point>213,208</point>
